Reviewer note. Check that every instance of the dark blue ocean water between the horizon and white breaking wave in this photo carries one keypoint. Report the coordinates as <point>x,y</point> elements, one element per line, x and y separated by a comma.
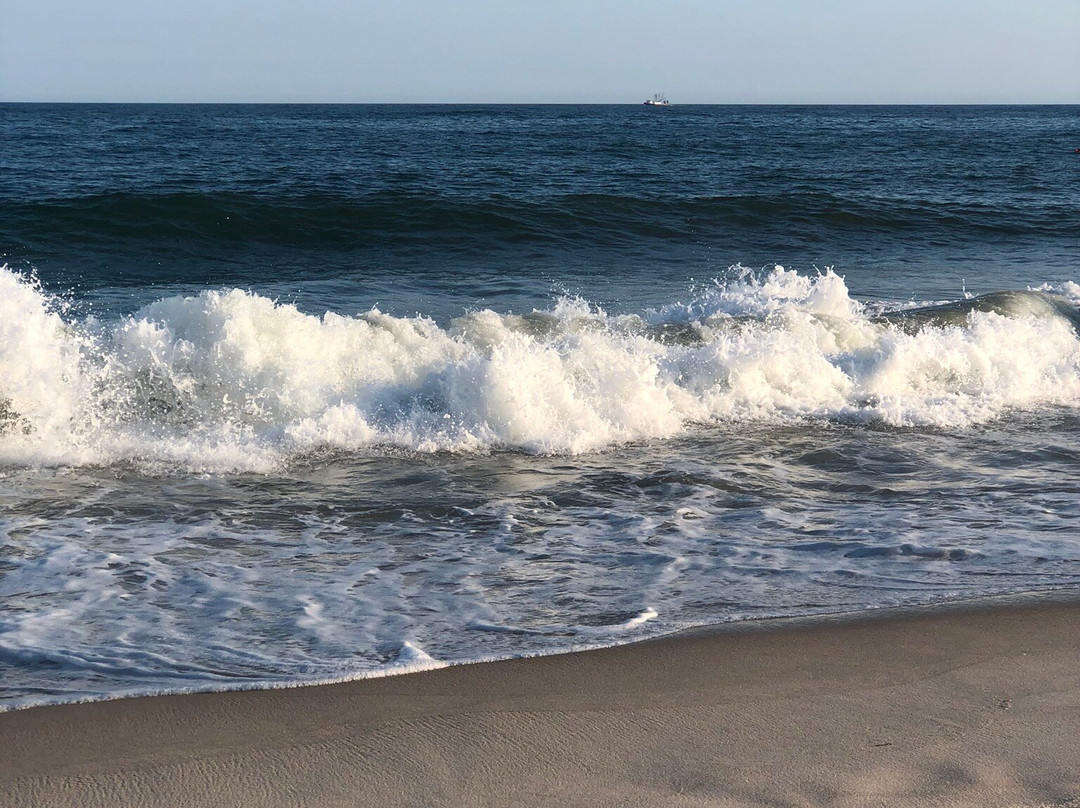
<point>443,207</point>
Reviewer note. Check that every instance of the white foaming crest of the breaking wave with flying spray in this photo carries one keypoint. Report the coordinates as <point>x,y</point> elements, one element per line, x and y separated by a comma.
<point>231,381</point>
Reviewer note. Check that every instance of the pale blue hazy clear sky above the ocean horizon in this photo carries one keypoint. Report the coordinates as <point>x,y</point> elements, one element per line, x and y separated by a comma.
<point>602,51</point>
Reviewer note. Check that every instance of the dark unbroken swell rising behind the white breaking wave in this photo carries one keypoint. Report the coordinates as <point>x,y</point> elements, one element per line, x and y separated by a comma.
<point>391,218</point>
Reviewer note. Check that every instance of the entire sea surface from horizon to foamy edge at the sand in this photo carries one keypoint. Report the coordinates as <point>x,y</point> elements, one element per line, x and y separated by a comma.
<point>301,394</point>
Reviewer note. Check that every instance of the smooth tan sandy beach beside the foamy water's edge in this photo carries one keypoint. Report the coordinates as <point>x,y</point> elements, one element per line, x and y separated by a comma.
<point>974,706</point>
